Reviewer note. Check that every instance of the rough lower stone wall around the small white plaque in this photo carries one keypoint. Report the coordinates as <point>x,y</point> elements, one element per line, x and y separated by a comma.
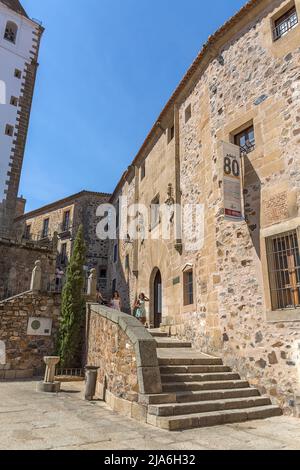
<point>24,354</point>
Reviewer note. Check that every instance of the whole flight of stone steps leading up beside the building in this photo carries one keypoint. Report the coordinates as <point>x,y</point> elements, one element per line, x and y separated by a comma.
<point>199,391</point>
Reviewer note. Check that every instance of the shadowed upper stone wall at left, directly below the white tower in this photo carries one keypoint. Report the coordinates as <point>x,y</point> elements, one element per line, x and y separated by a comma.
<point>16,264</point>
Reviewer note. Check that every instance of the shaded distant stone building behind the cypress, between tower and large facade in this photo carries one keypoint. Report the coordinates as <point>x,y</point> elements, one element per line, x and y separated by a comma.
<point>61,220</point>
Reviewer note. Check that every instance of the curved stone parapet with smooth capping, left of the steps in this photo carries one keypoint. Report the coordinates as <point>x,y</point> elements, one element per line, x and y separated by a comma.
<point>125,353</point>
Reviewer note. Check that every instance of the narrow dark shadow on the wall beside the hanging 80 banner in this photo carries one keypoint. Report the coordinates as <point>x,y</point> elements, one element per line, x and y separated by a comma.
<point>252,198</point>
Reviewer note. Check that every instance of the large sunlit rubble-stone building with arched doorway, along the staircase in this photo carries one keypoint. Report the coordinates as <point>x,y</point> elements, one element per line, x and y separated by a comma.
<point>227,143</point>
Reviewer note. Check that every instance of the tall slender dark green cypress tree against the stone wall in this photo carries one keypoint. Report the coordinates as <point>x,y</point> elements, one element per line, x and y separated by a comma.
<point>70,338</point>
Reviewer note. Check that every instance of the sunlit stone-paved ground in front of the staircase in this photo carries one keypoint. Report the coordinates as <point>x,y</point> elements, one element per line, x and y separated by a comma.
<point>31,420</point>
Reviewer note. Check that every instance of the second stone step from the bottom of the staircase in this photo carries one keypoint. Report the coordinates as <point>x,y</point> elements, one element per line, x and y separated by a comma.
<point>207,406</point>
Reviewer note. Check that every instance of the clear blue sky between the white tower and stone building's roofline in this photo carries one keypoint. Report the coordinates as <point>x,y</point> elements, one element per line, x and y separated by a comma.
<point>107,67</point>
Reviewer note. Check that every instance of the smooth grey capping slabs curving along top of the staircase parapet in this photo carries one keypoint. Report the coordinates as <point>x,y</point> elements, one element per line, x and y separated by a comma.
<point>148,372</point>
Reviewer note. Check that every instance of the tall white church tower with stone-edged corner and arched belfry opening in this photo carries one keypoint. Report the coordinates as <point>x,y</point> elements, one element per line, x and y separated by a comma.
<point>19,47</point>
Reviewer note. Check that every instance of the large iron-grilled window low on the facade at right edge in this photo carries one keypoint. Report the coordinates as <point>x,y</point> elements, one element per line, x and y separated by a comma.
<point>284,270</point>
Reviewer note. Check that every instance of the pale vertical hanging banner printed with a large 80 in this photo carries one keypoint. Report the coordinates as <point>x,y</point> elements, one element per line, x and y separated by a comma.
<point>232,181</point>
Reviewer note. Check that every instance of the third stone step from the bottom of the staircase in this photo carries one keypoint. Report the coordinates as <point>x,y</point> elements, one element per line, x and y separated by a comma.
<point>206,395</point>
